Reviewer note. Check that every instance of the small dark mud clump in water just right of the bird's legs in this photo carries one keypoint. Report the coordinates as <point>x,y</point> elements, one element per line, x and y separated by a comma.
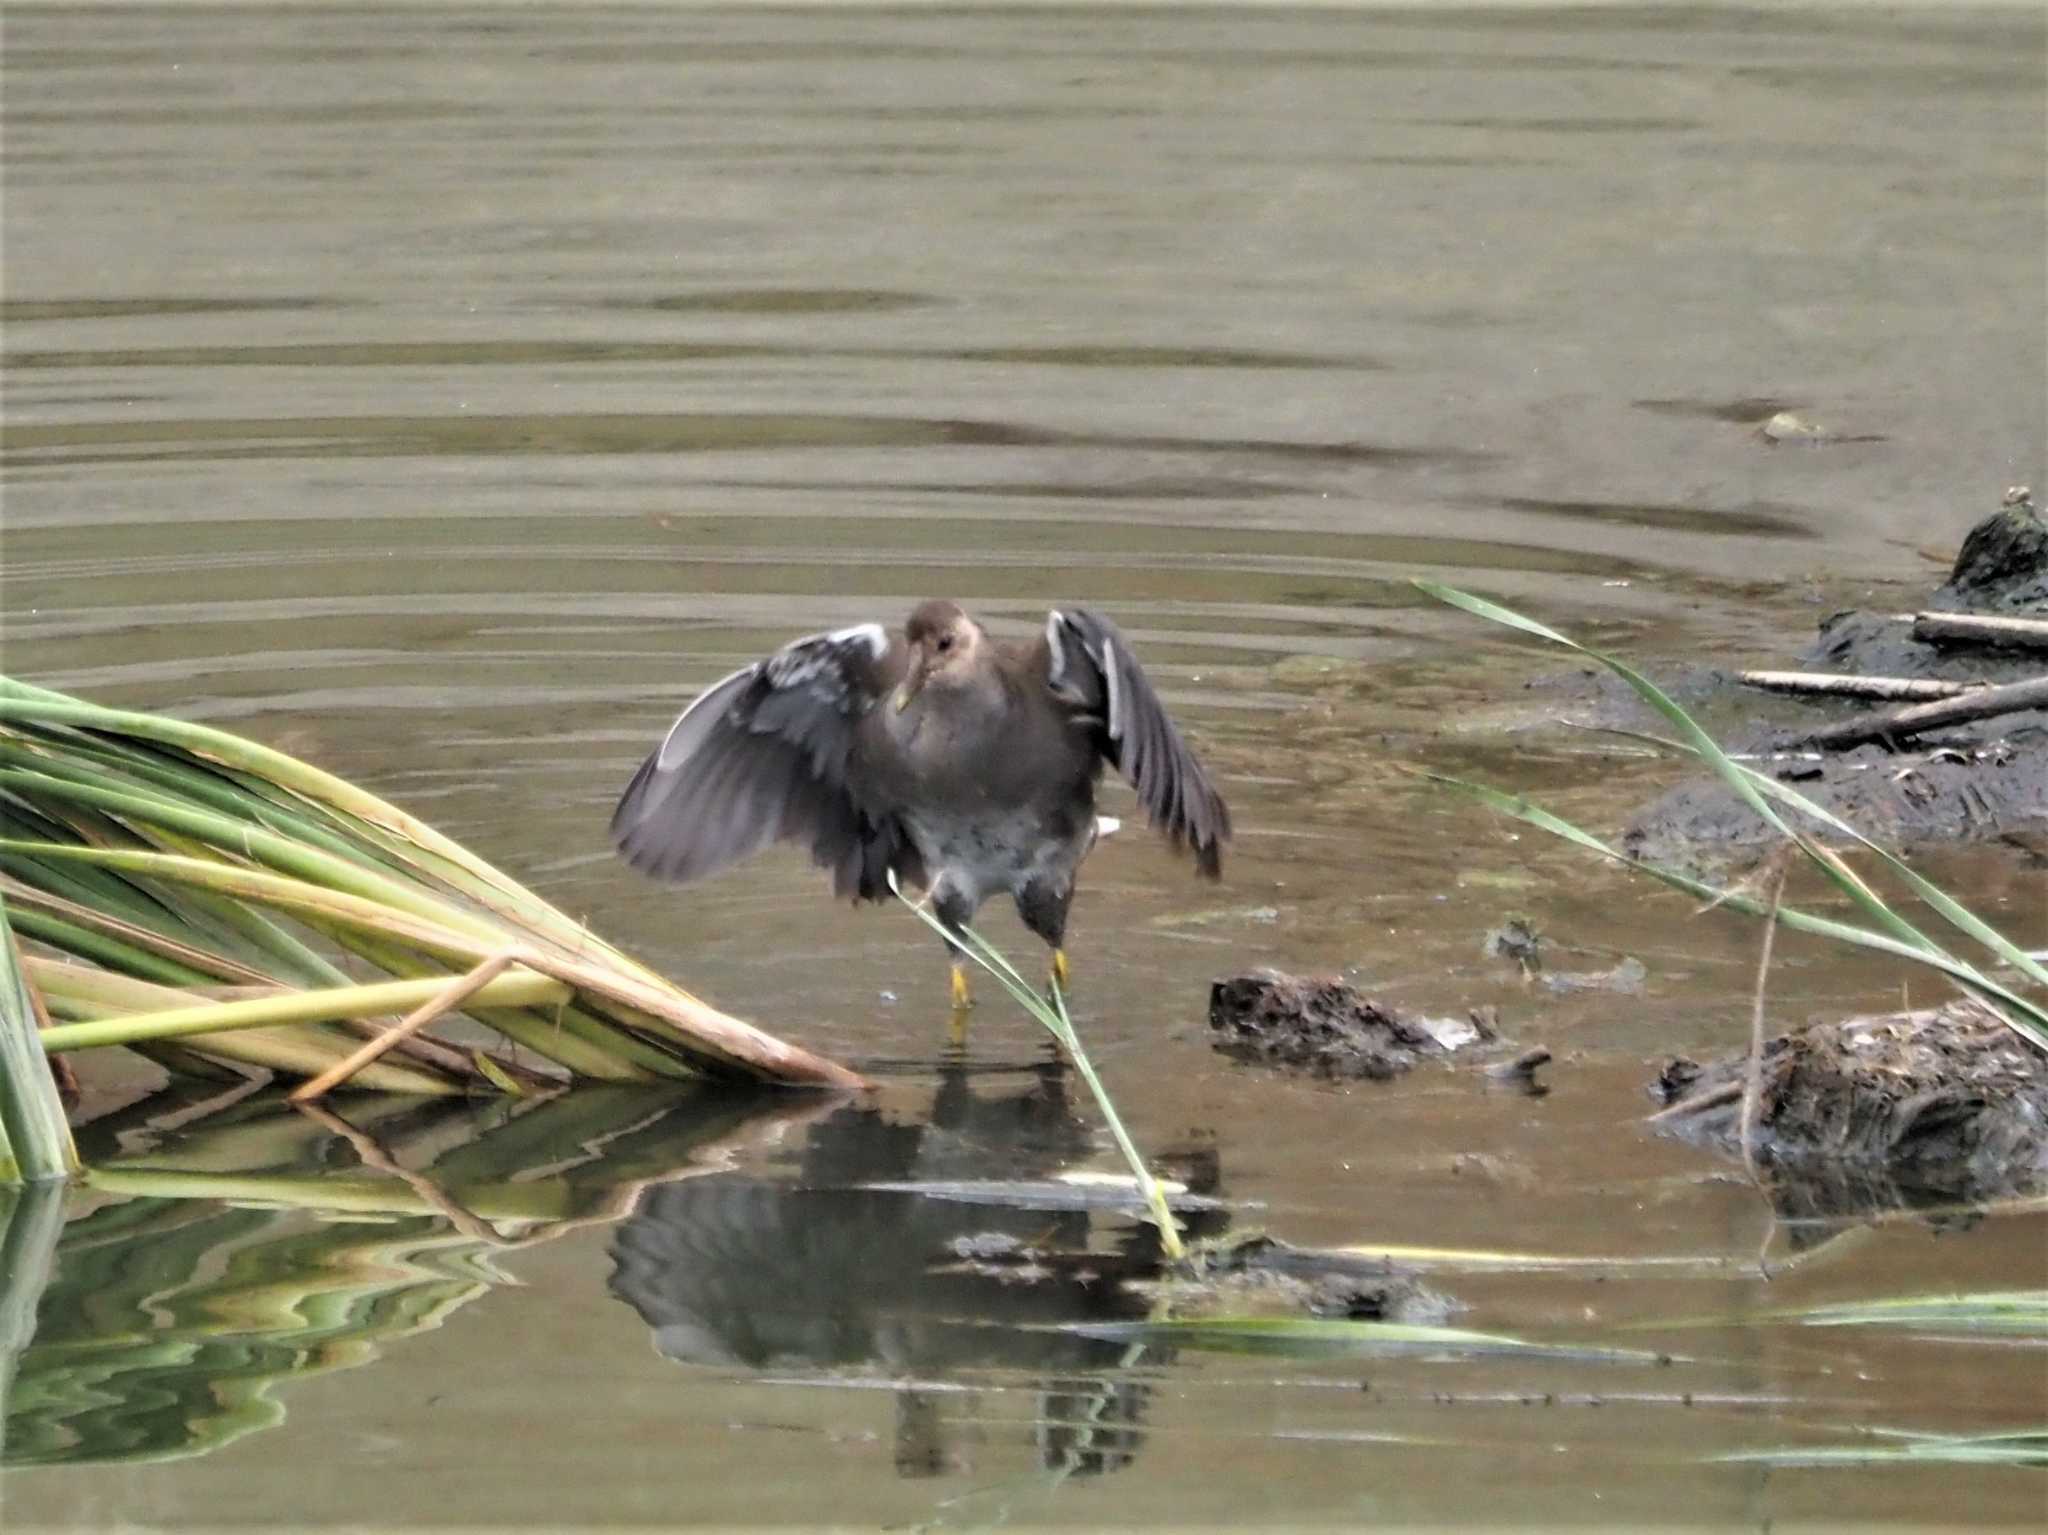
<point>1328,1028</point>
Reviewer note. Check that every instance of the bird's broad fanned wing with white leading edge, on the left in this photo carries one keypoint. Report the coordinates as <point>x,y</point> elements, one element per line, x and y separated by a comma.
<point>765,756</point>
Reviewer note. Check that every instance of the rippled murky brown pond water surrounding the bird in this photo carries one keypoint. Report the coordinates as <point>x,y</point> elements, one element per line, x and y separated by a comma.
<point>443,396</point>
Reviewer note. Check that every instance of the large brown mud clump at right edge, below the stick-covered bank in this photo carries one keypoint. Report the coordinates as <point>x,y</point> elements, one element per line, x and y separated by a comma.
<point>1938,1106</point>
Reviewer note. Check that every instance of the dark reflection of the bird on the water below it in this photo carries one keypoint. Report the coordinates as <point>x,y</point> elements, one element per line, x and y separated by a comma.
<point>833,1274</point>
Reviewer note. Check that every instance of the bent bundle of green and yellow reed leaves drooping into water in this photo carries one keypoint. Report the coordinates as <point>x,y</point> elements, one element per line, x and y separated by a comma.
<point>183,854</point>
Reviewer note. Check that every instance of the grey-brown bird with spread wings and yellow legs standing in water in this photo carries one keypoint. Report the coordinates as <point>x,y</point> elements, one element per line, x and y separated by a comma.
<point>937,756</point>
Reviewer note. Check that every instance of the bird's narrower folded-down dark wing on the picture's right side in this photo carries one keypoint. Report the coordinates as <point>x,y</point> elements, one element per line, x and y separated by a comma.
<point>1091,668</point>
